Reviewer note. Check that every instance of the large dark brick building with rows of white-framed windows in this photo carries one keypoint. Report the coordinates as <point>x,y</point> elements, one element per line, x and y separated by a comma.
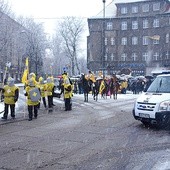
<point>135,37</point>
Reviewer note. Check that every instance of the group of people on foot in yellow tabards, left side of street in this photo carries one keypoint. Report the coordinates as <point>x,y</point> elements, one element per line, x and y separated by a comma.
<point>35,91</point>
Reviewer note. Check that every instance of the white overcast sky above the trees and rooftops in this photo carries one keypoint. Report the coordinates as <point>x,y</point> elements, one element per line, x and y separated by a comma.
<point>51,9</point>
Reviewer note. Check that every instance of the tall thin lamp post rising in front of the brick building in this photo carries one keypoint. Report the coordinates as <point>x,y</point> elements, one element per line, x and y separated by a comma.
<point>103,40</point>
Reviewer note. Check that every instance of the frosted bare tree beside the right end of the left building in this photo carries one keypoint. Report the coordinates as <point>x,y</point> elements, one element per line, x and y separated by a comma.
<point>36,41</point>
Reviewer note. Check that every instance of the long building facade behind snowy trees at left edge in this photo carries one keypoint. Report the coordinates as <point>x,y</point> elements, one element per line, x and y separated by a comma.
<point>12,47</point>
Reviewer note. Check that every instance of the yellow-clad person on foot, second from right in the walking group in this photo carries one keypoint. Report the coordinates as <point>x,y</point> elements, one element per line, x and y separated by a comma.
<point>50,91</point>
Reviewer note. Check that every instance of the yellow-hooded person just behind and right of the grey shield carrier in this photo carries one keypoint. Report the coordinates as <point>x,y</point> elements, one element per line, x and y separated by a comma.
<point>43,88</point>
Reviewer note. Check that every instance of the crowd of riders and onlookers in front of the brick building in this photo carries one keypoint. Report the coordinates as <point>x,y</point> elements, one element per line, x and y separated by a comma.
<point>134,84</point>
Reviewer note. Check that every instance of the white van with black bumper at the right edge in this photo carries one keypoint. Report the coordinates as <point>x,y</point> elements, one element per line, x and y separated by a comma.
<point>153,106</point>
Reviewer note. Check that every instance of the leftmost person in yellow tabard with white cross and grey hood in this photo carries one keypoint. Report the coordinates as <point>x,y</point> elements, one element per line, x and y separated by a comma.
<point>10,93</point>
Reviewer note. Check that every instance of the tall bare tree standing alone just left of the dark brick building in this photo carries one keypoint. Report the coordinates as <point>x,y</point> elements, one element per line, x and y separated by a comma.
<point>71,29</point>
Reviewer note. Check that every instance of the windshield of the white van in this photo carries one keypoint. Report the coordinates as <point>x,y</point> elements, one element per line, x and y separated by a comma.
<point>160,85</point>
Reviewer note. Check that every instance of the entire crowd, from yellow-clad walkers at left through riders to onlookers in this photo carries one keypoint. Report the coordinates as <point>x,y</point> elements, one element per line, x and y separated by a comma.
<point>44,90</point>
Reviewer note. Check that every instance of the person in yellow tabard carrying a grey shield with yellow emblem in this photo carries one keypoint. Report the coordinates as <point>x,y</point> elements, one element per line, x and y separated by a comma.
<point>33,98</point>
